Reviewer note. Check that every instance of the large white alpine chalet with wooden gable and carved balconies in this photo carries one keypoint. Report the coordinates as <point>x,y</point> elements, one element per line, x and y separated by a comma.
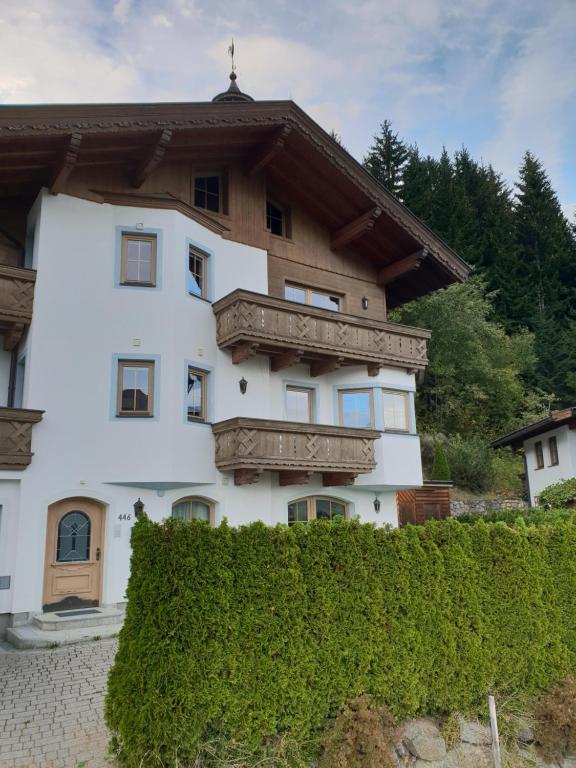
<point>193,305</point>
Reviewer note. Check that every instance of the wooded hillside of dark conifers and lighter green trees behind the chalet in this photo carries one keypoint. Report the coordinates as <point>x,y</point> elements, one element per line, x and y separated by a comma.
<point>503,349</point>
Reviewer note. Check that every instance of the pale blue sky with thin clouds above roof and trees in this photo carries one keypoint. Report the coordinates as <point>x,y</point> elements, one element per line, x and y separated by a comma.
<point>497,76</point>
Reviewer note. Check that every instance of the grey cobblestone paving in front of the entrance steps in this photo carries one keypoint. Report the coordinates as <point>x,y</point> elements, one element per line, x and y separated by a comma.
<point>51,706</point>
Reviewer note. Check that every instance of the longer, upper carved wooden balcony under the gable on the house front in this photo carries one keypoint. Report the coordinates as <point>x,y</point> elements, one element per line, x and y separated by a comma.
<point>290,333</point>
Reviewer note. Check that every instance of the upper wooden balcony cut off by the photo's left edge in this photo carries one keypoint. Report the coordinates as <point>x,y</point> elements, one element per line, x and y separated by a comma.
<point>16,299</point>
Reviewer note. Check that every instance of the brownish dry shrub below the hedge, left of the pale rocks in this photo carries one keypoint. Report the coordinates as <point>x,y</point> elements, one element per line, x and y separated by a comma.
<point>361,737</point>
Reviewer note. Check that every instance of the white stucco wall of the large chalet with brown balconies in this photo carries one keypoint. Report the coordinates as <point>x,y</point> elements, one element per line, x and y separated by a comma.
<point>81,320</point>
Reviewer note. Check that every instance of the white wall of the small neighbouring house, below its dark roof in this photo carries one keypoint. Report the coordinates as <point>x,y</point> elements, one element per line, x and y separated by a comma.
<point>566,468</point>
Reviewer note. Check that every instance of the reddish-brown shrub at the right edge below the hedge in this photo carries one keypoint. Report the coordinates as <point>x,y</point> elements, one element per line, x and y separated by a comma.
<point>555,720</point>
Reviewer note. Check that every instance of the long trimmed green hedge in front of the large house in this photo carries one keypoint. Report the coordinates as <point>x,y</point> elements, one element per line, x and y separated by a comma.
<point>249,632</point>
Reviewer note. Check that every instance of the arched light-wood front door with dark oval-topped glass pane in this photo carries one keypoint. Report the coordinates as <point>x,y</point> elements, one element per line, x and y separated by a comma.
<point>74,552</point>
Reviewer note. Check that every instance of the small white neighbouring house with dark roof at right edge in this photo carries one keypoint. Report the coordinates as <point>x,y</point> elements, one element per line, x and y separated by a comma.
<point>549,448</point>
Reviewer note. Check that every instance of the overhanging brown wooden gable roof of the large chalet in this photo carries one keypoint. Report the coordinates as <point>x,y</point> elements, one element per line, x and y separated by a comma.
<point>41,145</point>
